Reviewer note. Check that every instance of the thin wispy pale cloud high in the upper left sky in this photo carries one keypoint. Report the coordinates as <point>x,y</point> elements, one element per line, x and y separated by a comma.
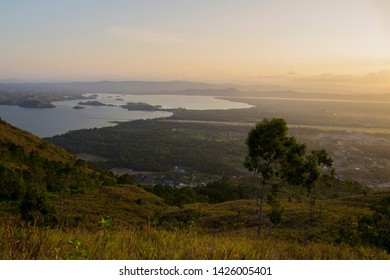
<point>143,35</point>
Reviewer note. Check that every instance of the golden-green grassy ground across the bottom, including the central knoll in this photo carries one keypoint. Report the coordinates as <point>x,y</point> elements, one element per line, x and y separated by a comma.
<point>126,222</point>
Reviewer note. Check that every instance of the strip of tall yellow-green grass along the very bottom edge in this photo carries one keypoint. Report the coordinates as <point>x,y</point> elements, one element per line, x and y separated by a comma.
<point>22,242</point>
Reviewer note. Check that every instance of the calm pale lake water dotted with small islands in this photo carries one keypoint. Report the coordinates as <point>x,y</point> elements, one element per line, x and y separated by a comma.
<point>53,121</point>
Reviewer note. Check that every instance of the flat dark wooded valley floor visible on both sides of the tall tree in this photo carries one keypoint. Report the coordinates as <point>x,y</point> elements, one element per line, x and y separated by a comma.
<point>219,148</point>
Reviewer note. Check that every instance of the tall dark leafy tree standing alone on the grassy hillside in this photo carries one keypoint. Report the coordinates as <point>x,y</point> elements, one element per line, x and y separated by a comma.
<point>276,160</point>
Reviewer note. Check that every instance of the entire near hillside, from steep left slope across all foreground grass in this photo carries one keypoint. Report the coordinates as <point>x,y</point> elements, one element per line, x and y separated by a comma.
<point>55,206</point>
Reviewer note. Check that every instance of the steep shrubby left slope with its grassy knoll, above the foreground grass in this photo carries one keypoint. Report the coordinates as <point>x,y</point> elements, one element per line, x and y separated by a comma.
<point>43,184</point>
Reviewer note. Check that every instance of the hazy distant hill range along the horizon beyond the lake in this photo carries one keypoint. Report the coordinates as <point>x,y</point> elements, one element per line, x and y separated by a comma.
<point>53,89</point>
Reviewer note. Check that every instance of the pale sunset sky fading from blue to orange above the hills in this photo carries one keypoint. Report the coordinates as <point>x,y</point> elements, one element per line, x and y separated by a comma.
<point>323,45</point>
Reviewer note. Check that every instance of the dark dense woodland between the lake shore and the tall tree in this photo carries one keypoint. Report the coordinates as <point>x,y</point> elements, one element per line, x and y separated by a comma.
<point>149,145</point>
